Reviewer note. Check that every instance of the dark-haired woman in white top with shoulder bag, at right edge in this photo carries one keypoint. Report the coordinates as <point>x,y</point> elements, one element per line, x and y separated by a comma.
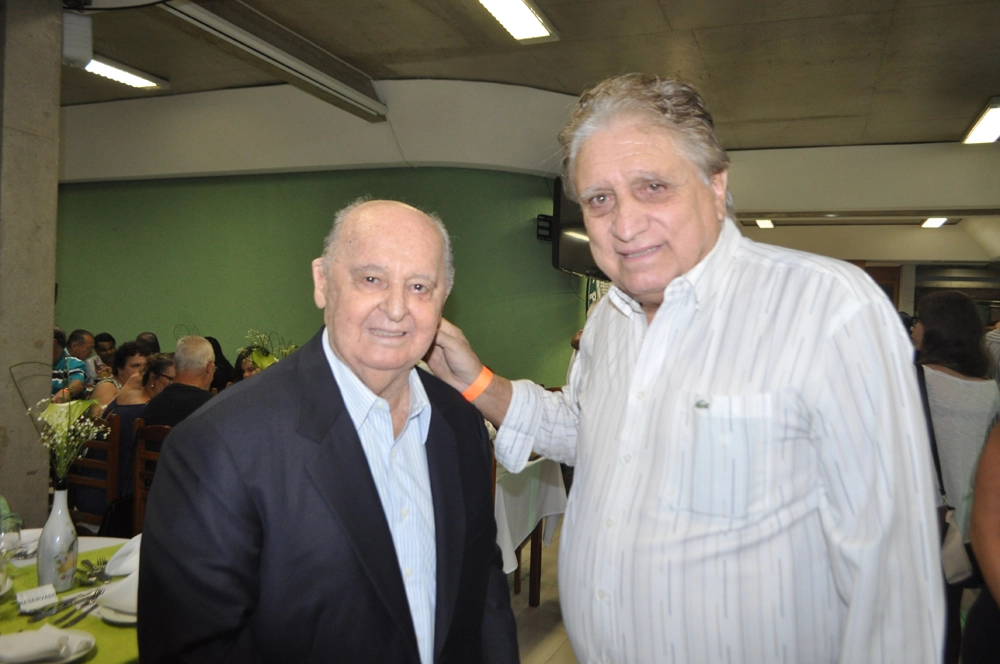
<point>964,403</point>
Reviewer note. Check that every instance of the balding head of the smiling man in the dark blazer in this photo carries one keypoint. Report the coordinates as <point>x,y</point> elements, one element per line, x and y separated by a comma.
<point>382,283</point>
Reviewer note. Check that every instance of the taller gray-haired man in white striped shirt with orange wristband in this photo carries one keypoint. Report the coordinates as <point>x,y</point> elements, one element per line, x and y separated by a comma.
<point>760,497</point>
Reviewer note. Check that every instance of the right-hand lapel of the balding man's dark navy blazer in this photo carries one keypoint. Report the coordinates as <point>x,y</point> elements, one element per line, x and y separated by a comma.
<point>449,520</point>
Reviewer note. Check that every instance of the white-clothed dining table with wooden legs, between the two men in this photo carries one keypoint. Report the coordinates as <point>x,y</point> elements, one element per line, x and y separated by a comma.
<point>528,504</point>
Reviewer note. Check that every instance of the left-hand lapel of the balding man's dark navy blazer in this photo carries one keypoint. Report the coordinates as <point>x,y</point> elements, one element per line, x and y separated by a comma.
<point>341,474</point>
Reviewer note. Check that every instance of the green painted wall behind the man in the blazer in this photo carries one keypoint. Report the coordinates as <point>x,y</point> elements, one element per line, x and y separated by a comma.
<point>219,256</point>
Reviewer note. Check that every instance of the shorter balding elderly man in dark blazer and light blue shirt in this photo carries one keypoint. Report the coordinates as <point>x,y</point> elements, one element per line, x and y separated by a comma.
<point>337,507</point>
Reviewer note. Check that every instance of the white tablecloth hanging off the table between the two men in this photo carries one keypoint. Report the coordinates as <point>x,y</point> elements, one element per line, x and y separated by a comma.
<point>525,499</point>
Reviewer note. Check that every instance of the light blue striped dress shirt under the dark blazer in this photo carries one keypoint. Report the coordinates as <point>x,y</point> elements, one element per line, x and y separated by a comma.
<point>399,468</point>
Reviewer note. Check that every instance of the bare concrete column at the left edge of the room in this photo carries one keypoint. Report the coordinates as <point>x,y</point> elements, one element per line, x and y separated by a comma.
<point>30,61</point>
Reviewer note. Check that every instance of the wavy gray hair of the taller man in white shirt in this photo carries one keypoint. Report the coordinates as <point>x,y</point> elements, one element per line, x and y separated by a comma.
<point>669,104</point>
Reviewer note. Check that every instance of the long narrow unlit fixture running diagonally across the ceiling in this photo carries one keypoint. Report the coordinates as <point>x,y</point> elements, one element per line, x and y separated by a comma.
<point>274,56</point>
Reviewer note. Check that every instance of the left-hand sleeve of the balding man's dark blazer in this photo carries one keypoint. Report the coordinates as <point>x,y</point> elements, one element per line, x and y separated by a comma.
<point>199,560</point>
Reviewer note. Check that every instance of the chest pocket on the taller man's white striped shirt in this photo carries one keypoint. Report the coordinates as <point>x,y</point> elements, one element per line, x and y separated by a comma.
<point>722,454</point>
